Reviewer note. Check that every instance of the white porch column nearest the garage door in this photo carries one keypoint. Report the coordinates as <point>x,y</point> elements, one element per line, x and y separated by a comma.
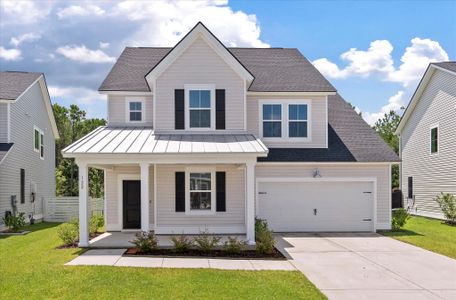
<point>250,202</point>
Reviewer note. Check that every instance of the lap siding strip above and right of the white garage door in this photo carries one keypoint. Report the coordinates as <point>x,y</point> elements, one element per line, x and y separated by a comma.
<point>361,171</point>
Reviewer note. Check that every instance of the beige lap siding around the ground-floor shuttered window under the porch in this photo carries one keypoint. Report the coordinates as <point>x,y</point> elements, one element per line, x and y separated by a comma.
<point>235,195</point>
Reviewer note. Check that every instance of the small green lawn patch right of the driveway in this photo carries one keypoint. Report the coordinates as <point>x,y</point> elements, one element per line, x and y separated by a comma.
<point>430,234</point>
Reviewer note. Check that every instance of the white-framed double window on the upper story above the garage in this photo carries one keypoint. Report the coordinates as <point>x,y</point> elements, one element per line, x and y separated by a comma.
<point>285,120</point>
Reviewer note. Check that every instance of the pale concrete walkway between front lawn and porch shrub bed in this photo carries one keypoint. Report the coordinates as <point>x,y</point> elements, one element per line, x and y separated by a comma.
<point>113,257</point>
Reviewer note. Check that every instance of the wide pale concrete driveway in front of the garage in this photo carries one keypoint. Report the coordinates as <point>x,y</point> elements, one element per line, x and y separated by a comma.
<point>370,266</point>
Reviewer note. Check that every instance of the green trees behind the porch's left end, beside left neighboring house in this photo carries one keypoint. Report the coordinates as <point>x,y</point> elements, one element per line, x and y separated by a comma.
<point>73,125</point>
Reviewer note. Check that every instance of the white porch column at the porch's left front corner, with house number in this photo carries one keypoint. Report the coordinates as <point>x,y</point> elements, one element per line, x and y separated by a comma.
<point>83,204</point>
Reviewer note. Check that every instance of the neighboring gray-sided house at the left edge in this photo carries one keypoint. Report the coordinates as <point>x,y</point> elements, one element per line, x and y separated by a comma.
<point>27,143</point>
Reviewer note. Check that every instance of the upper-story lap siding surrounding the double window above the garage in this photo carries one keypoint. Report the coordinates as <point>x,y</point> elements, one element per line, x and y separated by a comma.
<point>318,121</point>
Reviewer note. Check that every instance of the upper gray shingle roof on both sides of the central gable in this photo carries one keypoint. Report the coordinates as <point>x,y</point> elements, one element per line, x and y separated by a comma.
<point>274,69</point>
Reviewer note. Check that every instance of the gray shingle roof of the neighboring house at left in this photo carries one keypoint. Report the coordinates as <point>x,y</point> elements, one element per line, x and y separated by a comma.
<point>13,84</point>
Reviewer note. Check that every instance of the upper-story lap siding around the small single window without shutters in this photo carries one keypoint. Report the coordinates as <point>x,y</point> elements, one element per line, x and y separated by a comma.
<point>117,111</point>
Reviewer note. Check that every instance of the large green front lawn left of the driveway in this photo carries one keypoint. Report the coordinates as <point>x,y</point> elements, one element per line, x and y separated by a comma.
<point>31,267</point>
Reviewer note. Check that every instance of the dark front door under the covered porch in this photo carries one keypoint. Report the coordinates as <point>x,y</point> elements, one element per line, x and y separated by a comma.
<point>132,204</point>
